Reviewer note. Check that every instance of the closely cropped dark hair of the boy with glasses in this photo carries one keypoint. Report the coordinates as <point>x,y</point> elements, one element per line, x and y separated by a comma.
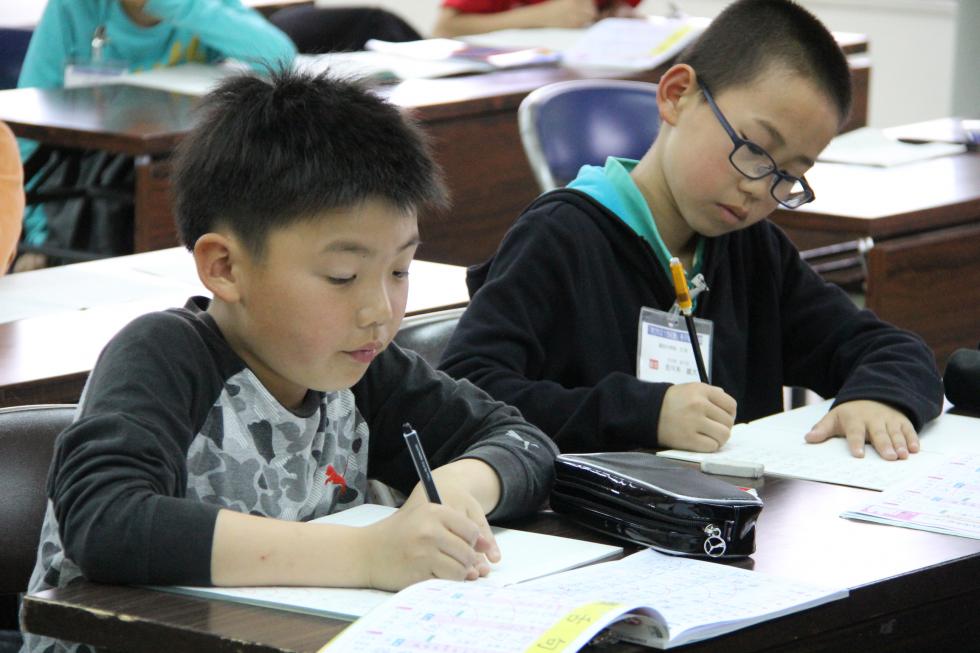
<point>750,37</point>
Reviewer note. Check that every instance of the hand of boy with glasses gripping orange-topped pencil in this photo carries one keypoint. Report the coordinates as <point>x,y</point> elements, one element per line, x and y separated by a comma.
<point>696,417</point>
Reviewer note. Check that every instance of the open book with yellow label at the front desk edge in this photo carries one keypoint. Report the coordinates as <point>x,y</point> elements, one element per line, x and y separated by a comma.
<point>647,598</point>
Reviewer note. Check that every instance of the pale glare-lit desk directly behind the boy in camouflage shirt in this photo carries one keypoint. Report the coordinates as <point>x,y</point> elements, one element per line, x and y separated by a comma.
<point>46,356</point>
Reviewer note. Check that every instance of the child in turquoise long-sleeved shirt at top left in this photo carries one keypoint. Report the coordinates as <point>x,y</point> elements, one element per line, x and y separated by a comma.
<point>107,36</point>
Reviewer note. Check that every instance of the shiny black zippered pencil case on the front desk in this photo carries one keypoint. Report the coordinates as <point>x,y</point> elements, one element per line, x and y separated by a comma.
<point>656,502</point>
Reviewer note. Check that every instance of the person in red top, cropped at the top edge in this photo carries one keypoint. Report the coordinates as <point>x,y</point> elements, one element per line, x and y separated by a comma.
<point>460,17</point>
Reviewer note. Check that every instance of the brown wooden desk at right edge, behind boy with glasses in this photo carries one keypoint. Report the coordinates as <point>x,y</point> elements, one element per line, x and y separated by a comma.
<point>925,220</point>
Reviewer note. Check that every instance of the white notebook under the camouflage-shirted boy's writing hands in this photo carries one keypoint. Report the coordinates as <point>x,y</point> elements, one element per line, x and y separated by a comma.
<point>524,555</point>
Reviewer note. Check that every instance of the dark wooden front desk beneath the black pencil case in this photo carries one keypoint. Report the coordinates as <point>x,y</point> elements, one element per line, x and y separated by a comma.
<point>910,591</point>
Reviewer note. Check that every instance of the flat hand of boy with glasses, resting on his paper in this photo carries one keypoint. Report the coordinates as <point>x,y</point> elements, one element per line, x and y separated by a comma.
<point>889,430</point>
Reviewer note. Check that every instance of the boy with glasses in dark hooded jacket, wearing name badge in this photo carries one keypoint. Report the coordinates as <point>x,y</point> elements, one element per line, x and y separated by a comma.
<point>553,324</point>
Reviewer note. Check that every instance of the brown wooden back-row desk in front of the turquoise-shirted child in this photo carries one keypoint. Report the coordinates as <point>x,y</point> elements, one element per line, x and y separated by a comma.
<point>472,121</point>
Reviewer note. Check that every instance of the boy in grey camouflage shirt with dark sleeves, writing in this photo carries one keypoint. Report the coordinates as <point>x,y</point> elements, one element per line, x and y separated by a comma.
<point>207,436</point>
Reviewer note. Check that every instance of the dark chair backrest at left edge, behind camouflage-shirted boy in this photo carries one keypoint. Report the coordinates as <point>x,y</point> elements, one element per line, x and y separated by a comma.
<point>27,435</point>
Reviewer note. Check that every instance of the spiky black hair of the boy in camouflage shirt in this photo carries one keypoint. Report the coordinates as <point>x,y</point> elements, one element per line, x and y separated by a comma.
<point>268,151</point>
